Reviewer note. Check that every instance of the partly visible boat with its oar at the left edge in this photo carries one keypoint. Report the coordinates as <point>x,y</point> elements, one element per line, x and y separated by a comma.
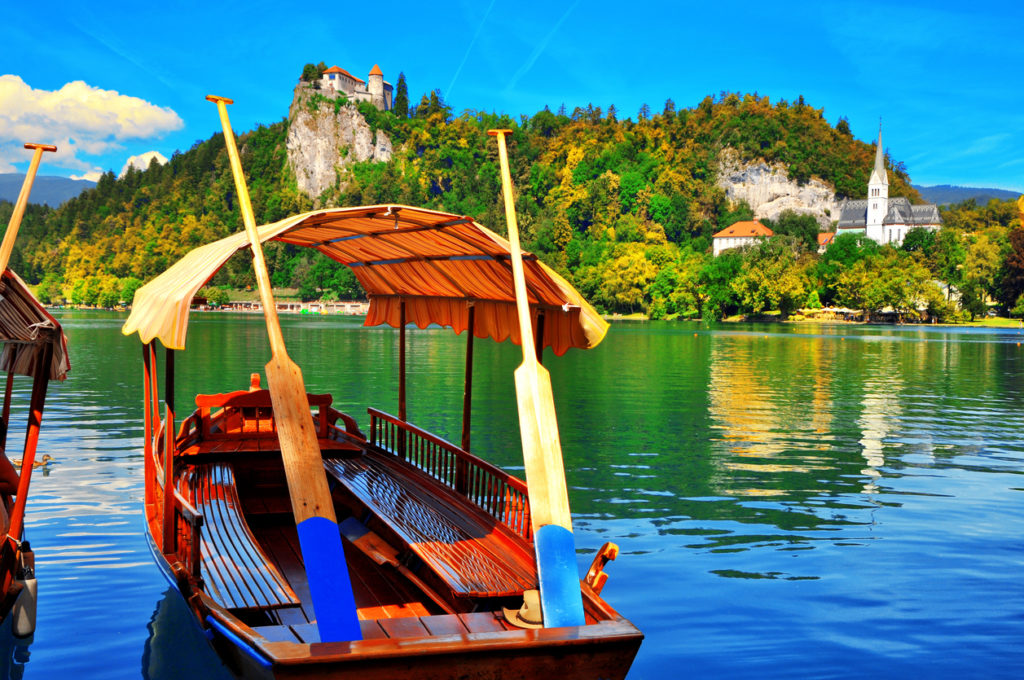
<point>35,348</point>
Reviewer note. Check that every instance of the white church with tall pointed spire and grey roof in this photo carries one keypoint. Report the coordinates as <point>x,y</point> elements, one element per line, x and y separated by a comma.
<point>881,219</point>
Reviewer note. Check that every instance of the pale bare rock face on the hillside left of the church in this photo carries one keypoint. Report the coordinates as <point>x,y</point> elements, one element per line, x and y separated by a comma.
<point>770,192</point>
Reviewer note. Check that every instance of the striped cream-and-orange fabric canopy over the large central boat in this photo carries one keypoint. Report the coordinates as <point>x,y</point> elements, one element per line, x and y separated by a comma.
<point>439,265</point>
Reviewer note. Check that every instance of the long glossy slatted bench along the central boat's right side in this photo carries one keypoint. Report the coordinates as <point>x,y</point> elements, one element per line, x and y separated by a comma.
<point>470,551</point>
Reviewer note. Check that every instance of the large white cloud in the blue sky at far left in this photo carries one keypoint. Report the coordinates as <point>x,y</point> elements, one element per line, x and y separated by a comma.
<point>80,119</point>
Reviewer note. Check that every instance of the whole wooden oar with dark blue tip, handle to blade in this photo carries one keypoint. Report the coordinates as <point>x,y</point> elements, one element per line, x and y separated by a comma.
<point>320,539</point>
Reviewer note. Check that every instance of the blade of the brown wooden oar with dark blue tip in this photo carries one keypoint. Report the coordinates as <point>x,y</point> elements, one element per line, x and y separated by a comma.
<point>316,523</point>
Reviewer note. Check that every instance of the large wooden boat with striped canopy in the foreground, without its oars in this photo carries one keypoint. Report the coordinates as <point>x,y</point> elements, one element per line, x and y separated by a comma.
<point>438,542</point>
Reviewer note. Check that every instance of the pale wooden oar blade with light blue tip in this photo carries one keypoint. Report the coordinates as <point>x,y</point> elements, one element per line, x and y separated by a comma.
<point>562,601</point>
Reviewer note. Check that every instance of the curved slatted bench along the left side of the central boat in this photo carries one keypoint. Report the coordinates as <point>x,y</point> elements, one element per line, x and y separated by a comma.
<point>236,571</point>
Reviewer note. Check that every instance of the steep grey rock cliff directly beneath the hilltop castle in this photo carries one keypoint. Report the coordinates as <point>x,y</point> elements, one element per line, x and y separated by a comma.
<point>321,142</point>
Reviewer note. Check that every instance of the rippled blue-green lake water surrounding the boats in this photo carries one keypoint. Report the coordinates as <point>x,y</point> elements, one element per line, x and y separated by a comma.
<point>791,502</point>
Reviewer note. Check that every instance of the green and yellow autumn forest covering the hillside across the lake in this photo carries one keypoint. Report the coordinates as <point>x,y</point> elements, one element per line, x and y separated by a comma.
<point>624,208</point>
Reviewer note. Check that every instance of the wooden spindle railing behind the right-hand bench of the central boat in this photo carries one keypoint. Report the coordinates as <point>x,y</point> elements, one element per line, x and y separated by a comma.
<point>498,493</point>
